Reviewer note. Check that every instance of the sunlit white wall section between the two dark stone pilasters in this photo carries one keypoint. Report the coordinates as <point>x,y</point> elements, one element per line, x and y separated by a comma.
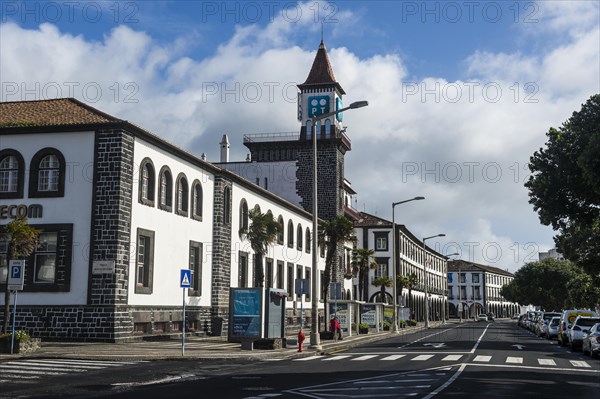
<point>172,232</point>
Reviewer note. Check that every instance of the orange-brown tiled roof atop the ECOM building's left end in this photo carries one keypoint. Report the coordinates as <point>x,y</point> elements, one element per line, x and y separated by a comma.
<point>55,112</point>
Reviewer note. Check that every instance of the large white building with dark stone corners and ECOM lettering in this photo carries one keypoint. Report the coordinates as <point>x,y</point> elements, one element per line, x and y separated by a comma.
<point>121,212</point>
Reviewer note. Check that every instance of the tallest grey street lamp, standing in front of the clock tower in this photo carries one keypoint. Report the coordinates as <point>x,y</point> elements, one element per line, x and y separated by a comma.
<point>315,340</point>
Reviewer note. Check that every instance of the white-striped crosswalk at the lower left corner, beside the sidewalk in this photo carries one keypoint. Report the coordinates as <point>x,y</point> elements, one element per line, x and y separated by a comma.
<point>30,370</point>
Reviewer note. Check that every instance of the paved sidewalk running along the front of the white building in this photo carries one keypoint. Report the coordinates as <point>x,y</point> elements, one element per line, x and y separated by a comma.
<point>195,348</point>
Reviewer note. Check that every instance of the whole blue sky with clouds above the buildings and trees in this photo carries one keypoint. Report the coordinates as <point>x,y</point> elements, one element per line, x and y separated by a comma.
<point>461,93</point>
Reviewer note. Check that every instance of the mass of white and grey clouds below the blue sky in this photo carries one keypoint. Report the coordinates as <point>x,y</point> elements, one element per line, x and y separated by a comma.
<point>446,140</point>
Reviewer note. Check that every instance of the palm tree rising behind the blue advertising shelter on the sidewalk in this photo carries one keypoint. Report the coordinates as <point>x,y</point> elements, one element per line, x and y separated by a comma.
<point>262,233</point>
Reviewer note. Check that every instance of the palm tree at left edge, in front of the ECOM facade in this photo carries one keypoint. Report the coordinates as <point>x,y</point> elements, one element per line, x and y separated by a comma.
<point>22,241</point>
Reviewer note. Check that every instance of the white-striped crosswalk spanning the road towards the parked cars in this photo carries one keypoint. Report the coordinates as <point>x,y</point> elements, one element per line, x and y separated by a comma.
<point>511,360</point>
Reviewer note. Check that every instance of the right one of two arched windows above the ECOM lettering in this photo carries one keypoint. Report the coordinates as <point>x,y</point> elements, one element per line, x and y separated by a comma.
<point>47,176</point>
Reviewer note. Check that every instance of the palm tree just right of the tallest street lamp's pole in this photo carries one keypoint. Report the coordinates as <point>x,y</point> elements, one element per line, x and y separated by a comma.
<point>332,233</point>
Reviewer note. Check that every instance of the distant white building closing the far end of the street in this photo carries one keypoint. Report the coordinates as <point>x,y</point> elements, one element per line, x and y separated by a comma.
<point>474,288</point>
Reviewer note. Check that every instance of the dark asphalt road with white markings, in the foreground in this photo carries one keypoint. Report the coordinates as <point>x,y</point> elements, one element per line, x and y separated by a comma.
<point>495,360</point>
